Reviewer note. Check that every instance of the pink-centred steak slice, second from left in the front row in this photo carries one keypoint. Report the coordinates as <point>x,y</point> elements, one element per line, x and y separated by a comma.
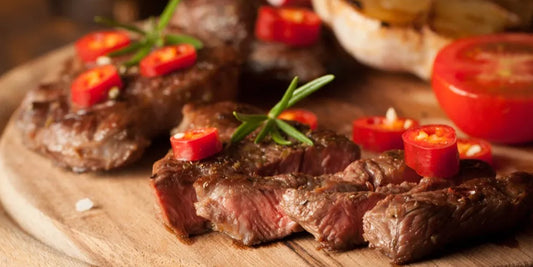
<point>246,208</point>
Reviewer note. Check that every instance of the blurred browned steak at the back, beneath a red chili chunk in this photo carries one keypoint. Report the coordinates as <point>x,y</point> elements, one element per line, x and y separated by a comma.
<point>232,22</point>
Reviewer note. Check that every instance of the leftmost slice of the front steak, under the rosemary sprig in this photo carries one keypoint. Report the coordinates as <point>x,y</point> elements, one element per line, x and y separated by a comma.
<point>171,178</point>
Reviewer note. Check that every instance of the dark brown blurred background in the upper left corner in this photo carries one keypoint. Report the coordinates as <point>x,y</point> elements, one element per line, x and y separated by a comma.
<point>30,28</point>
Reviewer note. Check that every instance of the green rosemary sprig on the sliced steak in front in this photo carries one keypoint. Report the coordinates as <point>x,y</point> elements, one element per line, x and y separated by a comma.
<point>270,123</point>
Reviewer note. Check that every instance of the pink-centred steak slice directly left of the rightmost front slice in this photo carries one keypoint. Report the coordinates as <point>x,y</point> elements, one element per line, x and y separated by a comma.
<point>335,217</point>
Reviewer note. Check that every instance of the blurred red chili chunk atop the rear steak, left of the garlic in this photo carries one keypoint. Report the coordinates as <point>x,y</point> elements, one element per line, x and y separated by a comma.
<point>292,26</point>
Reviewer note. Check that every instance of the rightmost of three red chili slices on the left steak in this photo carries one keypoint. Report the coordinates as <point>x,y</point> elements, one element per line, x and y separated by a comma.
<point>167,59</point>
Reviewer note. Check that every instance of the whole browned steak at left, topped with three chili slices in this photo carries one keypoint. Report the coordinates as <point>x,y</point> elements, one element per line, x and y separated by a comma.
<point>114,133</point>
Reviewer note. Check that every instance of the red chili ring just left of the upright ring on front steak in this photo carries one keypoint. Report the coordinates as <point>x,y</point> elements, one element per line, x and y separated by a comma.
<point>378,134</point>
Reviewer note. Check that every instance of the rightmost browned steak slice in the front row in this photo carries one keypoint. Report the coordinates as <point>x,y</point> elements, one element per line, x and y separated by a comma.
<point>409,226</point>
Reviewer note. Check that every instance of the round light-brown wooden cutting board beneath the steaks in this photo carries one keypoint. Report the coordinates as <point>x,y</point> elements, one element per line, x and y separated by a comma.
<point>123,228</point>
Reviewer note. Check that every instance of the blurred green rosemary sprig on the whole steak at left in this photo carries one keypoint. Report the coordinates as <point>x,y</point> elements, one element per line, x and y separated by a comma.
<point>151,38</point>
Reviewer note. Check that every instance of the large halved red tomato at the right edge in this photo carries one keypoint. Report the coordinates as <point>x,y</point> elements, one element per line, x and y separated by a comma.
<point>485,85</point>
